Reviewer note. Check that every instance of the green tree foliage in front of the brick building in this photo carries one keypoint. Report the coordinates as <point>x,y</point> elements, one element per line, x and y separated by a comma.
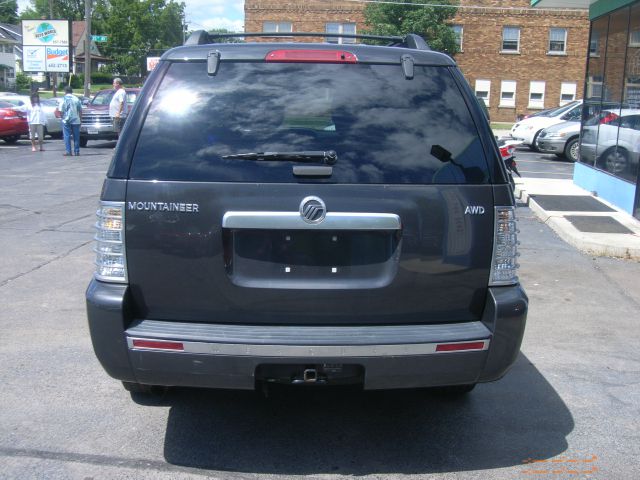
<point>403,17</point>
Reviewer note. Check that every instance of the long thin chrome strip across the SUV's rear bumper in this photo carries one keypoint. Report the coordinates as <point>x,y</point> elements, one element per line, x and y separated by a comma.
<point>298,351</point>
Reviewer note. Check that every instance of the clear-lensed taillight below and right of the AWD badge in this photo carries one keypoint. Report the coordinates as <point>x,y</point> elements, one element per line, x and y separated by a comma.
<point>504,263</point>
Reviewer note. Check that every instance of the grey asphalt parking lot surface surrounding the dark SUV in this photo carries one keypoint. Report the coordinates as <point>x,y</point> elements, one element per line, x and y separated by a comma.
<point>568,408</point>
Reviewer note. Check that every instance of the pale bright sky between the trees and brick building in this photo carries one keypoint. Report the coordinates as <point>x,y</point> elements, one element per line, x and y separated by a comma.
<point>203,14</point>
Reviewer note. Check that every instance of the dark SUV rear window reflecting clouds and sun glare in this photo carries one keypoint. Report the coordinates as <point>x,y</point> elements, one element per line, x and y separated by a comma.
<point>383,127</point>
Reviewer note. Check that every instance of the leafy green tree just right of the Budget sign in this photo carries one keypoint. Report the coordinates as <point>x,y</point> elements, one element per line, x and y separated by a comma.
<point>136,30</point>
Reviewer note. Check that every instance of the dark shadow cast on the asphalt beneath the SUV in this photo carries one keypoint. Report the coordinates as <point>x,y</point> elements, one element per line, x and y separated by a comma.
<point>302,432</point>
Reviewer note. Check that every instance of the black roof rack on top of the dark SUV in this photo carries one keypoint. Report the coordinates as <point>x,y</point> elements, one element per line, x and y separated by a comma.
<point>411,40</point>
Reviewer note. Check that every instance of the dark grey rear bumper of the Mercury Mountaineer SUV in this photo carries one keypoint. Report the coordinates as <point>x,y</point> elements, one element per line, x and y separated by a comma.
<point>227,356</point>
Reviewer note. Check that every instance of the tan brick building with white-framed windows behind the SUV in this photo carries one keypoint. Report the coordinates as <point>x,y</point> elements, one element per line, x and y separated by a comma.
<point>518,58</point>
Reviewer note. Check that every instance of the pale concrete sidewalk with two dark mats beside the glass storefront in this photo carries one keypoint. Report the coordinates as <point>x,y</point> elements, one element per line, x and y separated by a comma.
<point>589,223</point>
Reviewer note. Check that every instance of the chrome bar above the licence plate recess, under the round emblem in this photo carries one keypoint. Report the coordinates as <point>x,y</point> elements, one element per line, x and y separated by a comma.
<point>293,221</point>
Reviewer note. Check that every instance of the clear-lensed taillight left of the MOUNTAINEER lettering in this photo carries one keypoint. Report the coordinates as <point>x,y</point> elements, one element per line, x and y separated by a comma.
<point>111,265</point>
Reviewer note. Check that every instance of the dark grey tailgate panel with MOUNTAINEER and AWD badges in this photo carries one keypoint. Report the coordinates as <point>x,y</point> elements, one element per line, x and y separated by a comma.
<point>243,253</point>
